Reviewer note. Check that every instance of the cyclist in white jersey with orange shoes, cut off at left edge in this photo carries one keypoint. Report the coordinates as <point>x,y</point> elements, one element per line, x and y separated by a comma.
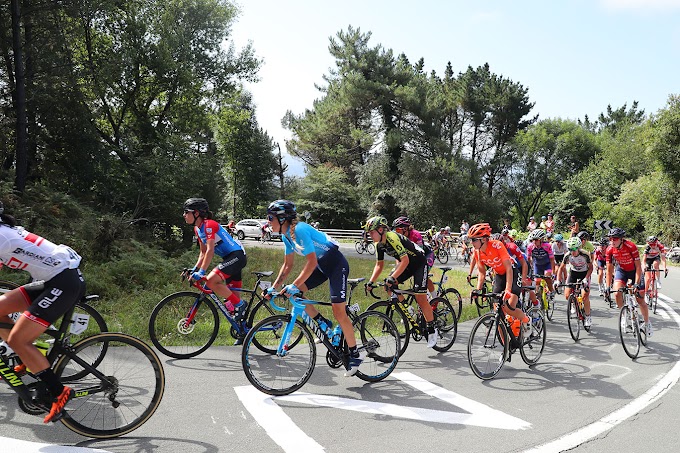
<point>57,285</point>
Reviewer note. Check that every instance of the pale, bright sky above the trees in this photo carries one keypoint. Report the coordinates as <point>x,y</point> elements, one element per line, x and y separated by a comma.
<point>574,56</point>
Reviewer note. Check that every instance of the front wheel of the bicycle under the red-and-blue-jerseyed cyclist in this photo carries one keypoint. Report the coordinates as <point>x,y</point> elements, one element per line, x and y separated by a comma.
<point>184,325</point>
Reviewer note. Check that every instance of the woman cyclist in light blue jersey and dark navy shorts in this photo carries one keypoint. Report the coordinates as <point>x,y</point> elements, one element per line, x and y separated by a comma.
<point>323,261</point>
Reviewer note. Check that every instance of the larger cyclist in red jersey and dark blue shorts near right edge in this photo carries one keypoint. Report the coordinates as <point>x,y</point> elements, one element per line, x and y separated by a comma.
<point>628,268</point>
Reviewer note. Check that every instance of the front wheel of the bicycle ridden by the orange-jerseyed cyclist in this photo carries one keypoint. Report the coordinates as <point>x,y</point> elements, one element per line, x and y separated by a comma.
<point>487,346</point>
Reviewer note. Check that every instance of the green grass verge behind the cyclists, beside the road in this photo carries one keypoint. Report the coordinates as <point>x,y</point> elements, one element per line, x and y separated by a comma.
<point>132,285</point>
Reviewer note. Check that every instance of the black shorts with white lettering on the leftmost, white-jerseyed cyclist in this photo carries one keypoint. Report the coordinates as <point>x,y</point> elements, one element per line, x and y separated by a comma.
<point>48,301</point>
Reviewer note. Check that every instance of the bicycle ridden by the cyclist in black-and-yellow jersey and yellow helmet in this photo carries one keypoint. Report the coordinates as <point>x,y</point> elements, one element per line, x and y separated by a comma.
<point>409,319</point>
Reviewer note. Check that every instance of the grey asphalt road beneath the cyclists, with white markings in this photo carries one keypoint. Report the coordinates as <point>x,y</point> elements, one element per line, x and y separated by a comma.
<point>585,397</point>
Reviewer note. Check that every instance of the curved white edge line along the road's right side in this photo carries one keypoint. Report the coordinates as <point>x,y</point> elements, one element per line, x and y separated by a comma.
<point>576,438</point>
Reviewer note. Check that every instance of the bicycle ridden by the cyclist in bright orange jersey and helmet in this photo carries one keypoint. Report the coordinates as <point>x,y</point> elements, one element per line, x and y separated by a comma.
<point>493,340</point>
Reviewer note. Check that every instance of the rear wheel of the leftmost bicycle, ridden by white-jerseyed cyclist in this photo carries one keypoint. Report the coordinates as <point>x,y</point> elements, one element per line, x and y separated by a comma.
<point>128,395</point>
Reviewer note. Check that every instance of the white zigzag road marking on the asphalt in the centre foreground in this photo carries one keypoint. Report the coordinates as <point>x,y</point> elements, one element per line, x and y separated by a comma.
<point>291,438</point>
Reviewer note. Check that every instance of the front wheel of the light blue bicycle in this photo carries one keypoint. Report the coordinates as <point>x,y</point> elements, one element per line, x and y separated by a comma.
<point>276,374</point>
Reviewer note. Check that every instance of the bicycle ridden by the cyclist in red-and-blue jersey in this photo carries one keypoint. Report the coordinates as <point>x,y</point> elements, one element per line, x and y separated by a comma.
<point>185,324</point>
